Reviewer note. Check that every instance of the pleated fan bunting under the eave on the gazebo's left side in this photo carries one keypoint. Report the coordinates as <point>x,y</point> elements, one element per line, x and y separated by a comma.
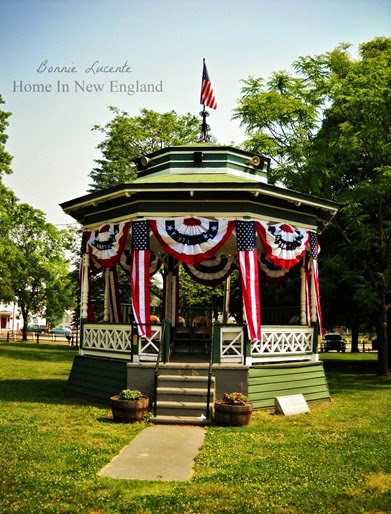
<point>106,244</point>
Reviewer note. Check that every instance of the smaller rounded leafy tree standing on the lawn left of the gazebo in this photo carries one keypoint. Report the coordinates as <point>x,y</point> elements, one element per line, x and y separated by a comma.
<point>39,278</point>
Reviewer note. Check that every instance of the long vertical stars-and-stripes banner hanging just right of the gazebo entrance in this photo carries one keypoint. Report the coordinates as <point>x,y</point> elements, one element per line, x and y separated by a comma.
<point>248,264</point>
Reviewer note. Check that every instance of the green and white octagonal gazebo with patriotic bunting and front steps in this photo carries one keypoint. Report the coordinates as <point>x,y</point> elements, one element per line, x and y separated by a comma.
<point>209,208</point>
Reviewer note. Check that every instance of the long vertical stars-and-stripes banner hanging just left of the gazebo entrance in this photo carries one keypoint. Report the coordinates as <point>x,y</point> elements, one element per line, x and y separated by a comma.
<point>139,276</point>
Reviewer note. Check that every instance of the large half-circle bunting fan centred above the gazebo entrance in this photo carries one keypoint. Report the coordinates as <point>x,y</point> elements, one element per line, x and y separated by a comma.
<point>191,240</point>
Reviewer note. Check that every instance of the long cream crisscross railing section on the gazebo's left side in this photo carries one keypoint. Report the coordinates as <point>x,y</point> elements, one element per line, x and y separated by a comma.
<point>110,340</point>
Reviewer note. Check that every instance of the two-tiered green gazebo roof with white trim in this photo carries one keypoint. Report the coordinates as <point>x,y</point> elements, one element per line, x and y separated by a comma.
<point>201,179</point>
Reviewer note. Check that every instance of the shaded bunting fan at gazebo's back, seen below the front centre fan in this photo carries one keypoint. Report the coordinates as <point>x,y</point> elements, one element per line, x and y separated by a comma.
<point>210,272</point>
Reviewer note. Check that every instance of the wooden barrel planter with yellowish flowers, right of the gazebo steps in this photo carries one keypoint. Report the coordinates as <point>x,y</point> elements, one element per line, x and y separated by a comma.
<point>234,409</point>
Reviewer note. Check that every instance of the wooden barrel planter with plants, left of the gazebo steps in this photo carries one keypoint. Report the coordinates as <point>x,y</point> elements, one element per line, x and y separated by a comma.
<point>129,405</point>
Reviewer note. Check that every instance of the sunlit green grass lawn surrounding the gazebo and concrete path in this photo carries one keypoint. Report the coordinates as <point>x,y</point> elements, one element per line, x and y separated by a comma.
<point>334,460</point>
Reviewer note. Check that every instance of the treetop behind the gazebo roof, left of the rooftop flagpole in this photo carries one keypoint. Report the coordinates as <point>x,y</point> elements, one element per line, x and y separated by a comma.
<point>127,139</point>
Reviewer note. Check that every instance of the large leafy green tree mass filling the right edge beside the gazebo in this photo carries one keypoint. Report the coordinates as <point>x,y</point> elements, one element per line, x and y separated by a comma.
<point>327,129</point>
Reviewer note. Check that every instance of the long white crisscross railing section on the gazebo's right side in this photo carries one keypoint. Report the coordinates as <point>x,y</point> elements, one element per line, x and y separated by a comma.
<point>282,344</point>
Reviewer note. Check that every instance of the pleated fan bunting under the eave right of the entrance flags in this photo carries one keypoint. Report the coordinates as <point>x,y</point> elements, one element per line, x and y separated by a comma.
<point>283,245</point>
